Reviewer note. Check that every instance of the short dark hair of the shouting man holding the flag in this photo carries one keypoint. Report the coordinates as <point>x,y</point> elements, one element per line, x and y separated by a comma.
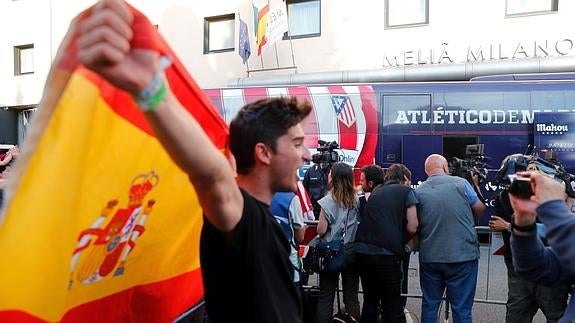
<point>263,121</point>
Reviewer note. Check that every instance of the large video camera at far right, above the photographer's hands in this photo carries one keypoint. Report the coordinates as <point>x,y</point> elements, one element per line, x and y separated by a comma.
<point>520,162</point>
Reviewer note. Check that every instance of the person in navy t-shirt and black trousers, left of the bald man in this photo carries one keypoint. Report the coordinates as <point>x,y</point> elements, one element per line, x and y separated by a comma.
<point>390,213</point>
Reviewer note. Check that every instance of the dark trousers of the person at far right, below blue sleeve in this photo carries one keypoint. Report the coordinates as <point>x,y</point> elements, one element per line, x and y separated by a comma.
<point>525,298</point>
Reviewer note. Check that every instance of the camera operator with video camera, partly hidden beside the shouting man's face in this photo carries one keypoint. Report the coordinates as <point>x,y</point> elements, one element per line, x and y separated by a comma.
<point>315,179</point>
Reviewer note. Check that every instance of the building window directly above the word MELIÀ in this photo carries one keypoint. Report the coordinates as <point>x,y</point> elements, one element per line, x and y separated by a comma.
<point>402,13</point>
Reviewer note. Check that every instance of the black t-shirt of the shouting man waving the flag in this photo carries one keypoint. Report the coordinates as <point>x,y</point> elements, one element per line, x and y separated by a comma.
<point>247,275</point>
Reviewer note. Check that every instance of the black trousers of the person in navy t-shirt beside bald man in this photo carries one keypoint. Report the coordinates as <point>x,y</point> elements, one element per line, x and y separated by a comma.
<point>381,282</point>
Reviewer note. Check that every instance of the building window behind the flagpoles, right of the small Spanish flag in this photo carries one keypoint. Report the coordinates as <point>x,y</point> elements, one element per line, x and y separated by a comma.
<point>304,18</point>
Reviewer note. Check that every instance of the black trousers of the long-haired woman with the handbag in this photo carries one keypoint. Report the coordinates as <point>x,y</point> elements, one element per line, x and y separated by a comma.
<point>328,284</point>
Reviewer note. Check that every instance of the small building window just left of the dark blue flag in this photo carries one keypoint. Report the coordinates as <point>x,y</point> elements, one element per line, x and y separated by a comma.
<point>219,34</point>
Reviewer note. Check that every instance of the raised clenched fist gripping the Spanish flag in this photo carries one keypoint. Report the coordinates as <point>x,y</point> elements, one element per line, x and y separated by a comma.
<point>104,47</point>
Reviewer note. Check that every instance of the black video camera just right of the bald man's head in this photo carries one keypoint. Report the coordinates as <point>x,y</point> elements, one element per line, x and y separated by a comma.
<point>474,163</point>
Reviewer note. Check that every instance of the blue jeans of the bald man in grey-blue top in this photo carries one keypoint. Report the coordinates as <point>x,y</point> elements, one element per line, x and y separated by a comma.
<point>459,280</point>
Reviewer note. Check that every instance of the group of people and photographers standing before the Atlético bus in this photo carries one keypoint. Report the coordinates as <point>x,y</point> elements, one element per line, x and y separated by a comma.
<point>442,212</point>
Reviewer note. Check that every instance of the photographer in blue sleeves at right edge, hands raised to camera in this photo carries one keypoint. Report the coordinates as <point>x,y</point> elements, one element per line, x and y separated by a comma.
<point>551,265</point>
